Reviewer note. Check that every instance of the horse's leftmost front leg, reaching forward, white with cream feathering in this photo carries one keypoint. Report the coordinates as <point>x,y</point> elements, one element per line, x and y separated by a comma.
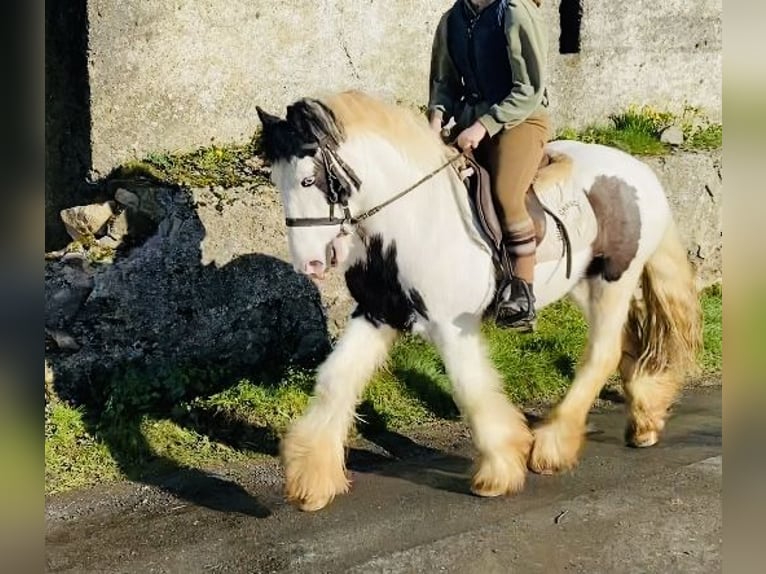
<point>312,450</point>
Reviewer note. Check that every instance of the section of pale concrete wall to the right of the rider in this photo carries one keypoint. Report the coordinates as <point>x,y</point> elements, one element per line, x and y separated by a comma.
<point>660,52</point>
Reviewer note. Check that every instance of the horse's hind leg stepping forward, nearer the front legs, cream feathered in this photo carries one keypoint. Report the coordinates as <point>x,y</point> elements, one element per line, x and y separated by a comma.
<point>559,440</point>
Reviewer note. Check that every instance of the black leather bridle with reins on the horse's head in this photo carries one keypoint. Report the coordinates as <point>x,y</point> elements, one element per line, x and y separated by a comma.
<point>341,181</point>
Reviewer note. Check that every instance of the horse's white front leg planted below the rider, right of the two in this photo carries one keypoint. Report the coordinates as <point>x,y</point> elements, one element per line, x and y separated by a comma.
<point>499,429</point>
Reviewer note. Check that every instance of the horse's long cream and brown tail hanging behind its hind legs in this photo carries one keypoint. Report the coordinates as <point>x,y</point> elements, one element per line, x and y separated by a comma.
<point>666,324</point>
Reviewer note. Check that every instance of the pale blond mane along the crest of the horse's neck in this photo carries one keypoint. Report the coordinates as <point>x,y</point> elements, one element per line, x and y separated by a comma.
<point>359,113</point>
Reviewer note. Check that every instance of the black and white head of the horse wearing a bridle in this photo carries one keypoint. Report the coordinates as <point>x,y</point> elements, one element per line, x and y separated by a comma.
<point>315,184</point>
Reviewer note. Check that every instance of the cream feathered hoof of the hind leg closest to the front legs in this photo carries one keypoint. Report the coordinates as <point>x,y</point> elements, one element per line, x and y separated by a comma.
<point>556,448</point>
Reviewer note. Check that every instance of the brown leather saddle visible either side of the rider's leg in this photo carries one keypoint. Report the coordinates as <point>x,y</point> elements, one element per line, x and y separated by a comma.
<point>479,188</point>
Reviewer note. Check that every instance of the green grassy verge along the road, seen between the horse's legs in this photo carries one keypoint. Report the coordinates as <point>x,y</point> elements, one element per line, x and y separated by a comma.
<point>243,421</point>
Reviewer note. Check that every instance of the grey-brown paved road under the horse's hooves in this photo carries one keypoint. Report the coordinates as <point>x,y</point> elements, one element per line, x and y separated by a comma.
<point>622,510</point>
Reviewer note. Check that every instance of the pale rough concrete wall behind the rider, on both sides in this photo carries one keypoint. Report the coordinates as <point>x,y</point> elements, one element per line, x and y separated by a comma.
<point>171,74</point>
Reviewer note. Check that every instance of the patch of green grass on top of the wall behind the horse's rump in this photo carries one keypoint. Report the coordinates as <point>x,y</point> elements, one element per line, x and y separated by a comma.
<point>638,129</point>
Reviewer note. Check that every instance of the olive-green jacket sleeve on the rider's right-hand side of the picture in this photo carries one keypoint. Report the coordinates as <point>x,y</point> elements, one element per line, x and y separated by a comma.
<point>527,50</point>
